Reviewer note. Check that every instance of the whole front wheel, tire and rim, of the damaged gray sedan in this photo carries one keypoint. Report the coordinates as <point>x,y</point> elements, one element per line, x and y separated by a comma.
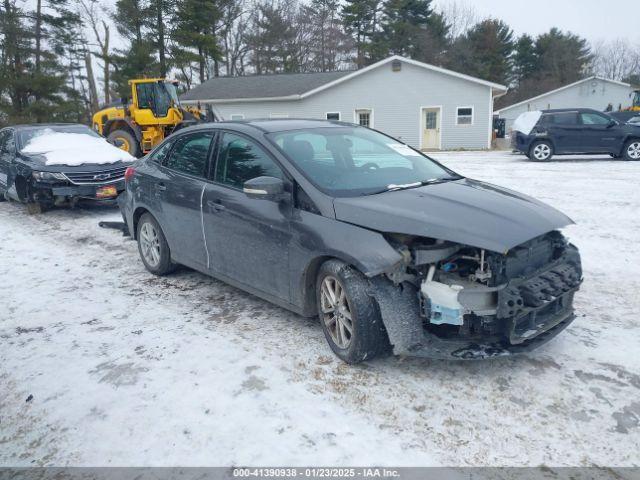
<point>350,318</point>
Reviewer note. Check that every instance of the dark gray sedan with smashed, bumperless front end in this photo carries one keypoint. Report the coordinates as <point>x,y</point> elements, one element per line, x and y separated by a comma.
<point>393,251</point>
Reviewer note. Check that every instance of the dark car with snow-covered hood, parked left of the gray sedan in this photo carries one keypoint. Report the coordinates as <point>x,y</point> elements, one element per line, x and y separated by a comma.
<point>53,164</point>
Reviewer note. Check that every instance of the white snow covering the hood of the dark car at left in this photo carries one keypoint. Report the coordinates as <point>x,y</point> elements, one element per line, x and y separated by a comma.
<point>74,149</point>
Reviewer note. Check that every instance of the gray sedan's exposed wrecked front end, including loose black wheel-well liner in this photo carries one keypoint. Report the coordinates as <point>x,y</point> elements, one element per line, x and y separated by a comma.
<point>448,300</point>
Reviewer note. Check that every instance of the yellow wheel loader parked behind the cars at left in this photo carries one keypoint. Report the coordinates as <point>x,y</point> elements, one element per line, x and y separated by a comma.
<point>141,122</point>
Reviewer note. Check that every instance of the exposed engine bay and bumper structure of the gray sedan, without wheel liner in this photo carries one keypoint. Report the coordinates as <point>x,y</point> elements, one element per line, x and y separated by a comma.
<point>476,294</point>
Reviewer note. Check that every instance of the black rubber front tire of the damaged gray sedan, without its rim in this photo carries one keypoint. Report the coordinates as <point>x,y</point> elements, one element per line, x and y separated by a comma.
<point>368,337</point>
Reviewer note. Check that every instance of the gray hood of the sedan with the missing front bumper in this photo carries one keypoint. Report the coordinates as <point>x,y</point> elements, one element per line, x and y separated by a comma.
<point>462,211</point>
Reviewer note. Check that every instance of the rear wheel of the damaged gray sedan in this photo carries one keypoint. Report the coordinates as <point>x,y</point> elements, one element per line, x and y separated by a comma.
<point>153,246</point>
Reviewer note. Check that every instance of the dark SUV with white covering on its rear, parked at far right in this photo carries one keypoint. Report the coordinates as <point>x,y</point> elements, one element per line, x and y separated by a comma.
<point>578,132</point>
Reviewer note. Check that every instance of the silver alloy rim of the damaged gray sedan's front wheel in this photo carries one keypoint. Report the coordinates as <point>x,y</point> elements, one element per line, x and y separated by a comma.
<point>336,312</point>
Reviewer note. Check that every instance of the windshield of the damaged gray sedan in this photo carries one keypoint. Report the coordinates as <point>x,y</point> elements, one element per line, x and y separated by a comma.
<point>350,161</point>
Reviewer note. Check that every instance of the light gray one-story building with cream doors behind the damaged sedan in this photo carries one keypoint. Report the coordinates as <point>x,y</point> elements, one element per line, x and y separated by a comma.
<point>425,106</point>
